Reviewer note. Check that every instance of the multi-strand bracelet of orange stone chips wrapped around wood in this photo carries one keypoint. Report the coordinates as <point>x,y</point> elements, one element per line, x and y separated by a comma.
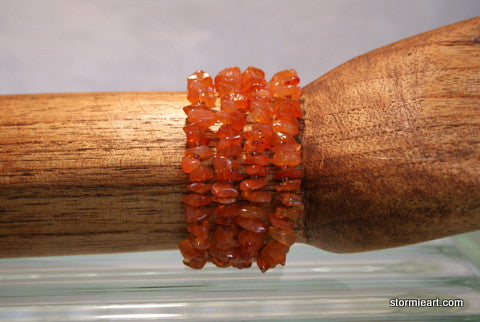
<point>241,208</point>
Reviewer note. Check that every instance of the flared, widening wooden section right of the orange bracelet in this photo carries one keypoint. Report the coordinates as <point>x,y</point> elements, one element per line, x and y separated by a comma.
<point>392,143</point>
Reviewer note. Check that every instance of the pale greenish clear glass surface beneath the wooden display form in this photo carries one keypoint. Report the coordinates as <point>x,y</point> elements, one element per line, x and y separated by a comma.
<point>314,284</point>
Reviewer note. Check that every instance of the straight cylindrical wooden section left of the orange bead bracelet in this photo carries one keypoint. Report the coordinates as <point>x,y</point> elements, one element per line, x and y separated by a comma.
<point>91,173</point>
